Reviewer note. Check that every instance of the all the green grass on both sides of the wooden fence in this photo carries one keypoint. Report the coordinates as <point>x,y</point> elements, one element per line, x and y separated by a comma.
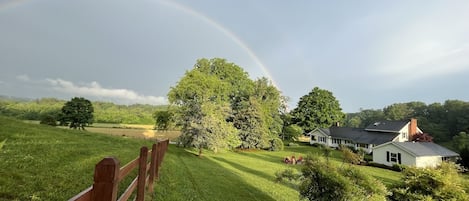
<point>44,163</point>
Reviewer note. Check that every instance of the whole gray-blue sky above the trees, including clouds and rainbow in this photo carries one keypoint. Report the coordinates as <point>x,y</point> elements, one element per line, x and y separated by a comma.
<point>369,54</point>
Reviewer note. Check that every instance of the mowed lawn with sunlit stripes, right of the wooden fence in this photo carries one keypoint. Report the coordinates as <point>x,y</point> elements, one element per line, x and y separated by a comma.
<point>238,175</point>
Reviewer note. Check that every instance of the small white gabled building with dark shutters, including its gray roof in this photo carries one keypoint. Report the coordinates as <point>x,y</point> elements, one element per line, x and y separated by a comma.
<point>417,154</point>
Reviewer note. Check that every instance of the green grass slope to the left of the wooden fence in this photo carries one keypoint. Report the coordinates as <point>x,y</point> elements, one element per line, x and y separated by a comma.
<point>39,162</point>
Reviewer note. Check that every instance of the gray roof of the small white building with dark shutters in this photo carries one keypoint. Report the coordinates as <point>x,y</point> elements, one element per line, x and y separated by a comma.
<point>425,149</point>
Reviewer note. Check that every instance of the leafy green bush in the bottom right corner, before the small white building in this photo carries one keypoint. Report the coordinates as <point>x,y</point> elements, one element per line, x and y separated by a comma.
<point>442,183</point>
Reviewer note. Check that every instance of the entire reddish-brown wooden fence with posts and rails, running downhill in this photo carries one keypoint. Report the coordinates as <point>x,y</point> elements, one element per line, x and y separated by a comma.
<point>108,174</point>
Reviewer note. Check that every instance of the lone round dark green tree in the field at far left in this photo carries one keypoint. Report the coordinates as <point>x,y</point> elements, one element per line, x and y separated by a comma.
<point>77,113</point>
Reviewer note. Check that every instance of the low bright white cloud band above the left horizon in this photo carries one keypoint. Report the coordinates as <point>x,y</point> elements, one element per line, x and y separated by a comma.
<point>94,89</point>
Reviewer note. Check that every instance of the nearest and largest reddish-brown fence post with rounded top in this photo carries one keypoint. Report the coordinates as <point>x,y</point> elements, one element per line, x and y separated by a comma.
<point>105,183</point>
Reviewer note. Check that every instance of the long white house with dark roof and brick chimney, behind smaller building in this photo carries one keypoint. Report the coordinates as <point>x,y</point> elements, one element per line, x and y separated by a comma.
<point>366,138</point>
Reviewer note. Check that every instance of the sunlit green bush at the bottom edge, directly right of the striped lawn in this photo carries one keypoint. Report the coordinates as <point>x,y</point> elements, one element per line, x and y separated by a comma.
<point>324,181</point>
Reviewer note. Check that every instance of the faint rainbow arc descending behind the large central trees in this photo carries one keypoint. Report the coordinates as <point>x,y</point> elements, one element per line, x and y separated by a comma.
<point>226,32</point>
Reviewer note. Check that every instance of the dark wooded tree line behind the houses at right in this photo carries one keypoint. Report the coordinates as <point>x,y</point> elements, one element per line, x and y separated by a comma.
<point>442,121</point>
